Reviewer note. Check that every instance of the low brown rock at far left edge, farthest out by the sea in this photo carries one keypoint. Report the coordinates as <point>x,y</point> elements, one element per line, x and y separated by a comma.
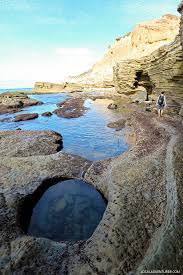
<point>14,102</point>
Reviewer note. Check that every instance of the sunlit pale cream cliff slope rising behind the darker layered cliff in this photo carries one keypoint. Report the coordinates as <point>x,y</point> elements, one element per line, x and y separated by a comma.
<point>143,40</point>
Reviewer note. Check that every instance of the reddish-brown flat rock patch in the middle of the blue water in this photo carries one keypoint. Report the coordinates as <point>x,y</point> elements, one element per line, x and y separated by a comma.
<point>71,108</point>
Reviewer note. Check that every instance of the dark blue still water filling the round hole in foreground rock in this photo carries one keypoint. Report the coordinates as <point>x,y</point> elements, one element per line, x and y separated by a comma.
<point>67,211</point>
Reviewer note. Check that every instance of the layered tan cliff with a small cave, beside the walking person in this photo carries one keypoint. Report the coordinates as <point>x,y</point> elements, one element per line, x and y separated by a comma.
<point>162,71</point>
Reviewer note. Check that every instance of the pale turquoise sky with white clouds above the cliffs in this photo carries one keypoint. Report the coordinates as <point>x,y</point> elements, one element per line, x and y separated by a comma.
<point>47,40</point>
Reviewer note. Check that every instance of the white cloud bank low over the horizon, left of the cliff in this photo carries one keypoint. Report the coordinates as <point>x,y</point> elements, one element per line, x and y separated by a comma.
<point>54,66</point>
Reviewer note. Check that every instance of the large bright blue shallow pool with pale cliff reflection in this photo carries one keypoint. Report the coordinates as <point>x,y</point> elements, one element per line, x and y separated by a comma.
<point>87,136</point>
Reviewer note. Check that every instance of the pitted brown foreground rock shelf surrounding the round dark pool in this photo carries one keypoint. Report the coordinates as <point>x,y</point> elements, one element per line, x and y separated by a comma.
<point>140,185</point>
